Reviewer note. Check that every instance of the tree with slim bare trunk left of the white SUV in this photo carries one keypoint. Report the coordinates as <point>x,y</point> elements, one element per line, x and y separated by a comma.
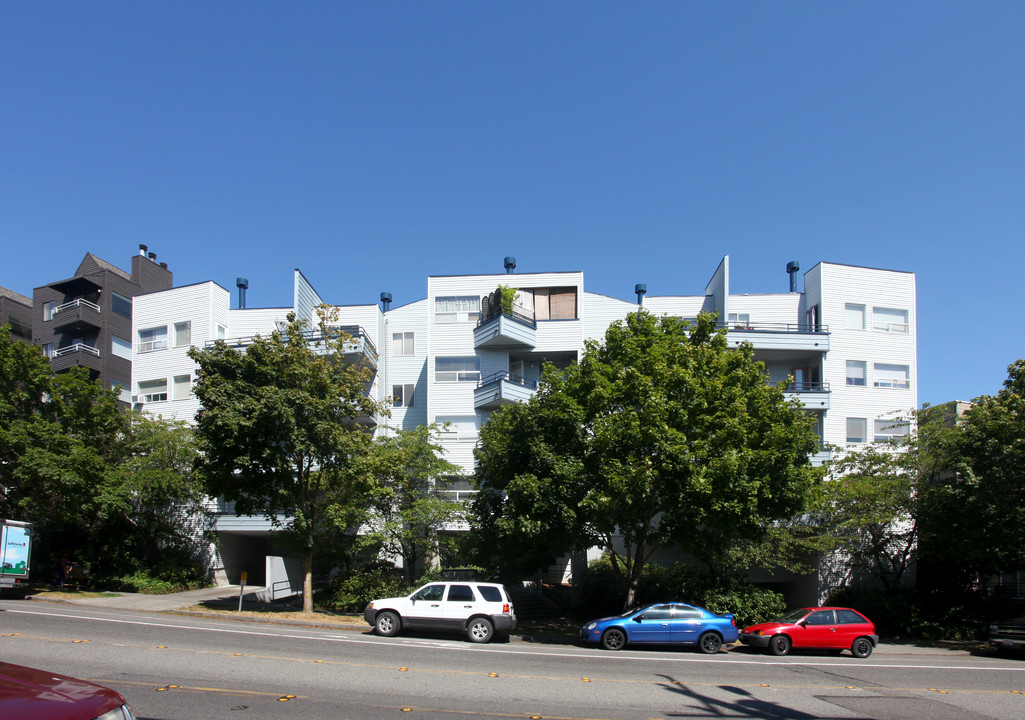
<point>279,433</point>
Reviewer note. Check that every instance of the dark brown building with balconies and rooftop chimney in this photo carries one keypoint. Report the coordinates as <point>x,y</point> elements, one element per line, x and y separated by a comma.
<point>87,319</point>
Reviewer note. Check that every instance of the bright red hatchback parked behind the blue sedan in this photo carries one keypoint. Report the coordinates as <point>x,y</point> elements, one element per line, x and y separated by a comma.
<point>834,629</point>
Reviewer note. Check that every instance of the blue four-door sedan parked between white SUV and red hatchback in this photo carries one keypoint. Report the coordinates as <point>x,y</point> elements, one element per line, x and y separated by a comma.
<point>664,624</point>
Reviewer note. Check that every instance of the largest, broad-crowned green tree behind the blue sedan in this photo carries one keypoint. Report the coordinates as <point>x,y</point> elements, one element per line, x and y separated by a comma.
<point>661,435</point>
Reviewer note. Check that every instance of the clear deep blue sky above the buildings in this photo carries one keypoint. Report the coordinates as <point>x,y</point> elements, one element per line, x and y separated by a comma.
<point>374,144</point>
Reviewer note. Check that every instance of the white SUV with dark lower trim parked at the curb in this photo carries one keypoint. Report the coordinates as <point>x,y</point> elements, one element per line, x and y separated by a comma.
<point>480,610</point>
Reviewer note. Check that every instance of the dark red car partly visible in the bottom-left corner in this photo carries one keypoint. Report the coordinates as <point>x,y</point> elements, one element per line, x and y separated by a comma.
<point>26,693</point>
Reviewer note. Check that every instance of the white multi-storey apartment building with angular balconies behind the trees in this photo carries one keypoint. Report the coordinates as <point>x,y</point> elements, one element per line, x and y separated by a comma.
<point>847,343</point>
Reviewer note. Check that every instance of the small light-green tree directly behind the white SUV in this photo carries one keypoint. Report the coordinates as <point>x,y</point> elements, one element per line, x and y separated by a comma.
<point>411,509</point>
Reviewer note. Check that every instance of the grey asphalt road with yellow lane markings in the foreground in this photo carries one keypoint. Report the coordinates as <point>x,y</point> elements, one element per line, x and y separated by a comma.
<point>173,667</point>
